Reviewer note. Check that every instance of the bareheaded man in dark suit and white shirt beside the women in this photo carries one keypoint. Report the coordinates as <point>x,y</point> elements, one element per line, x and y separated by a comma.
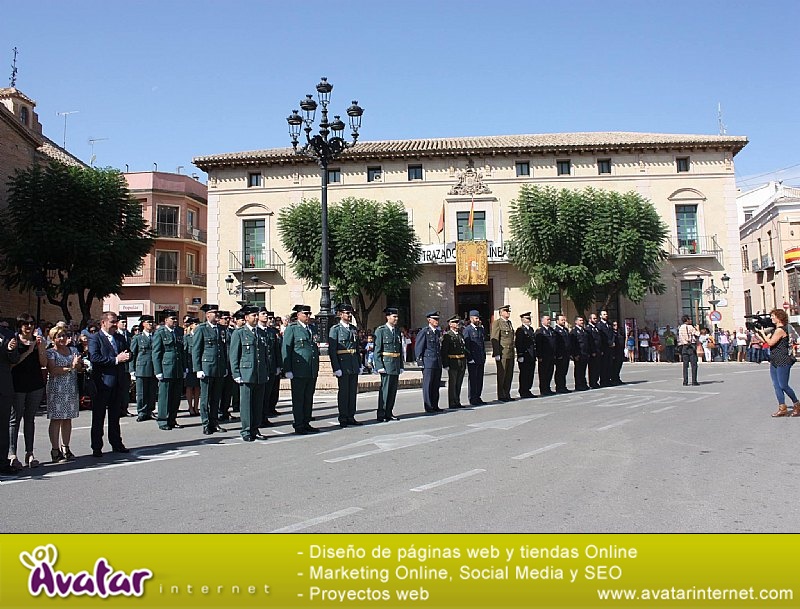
<point>108,355</point>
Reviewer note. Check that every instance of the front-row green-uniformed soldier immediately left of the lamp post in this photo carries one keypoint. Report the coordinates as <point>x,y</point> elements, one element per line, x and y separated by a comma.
<point>301,366</point>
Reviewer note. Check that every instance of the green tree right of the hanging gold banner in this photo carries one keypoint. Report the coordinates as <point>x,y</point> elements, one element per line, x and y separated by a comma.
<point>587,242</point>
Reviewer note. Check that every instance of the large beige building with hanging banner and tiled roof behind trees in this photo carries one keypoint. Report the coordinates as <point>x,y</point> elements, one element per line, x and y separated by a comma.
<point>689,178</point>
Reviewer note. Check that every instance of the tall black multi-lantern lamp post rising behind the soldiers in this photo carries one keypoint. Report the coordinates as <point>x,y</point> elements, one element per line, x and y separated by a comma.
<point>323,149</point>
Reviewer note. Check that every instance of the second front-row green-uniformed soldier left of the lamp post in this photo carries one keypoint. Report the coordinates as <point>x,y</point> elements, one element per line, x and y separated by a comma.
<point>250,364</point>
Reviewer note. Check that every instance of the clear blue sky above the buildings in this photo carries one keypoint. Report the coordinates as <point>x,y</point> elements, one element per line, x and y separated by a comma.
<point>166,81</point>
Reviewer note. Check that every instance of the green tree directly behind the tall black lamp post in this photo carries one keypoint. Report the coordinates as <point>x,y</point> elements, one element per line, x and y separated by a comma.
<point>372,249</point>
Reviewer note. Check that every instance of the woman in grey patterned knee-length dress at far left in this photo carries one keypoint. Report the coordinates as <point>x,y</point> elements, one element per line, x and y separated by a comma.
<point>63,365</point>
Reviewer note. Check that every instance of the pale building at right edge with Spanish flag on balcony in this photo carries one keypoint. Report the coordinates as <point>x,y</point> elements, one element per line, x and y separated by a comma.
<point>770,249</point>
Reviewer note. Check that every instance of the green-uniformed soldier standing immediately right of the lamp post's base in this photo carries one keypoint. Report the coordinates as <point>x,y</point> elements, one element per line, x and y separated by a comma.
<point>343,349</point>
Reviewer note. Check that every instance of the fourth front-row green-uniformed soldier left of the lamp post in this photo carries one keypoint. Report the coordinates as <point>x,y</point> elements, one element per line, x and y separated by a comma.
<point>168,367</point>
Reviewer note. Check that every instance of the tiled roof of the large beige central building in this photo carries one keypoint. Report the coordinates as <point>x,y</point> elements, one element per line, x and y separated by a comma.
<point>497,144</point>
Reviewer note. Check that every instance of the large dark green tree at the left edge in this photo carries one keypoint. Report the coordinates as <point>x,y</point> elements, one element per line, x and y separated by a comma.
<point>80,226</point>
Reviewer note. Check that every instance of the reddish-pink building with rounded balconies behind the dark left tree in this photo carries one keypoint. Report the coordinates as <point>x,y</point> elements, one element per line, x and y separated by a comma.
<point>173,275</point>
